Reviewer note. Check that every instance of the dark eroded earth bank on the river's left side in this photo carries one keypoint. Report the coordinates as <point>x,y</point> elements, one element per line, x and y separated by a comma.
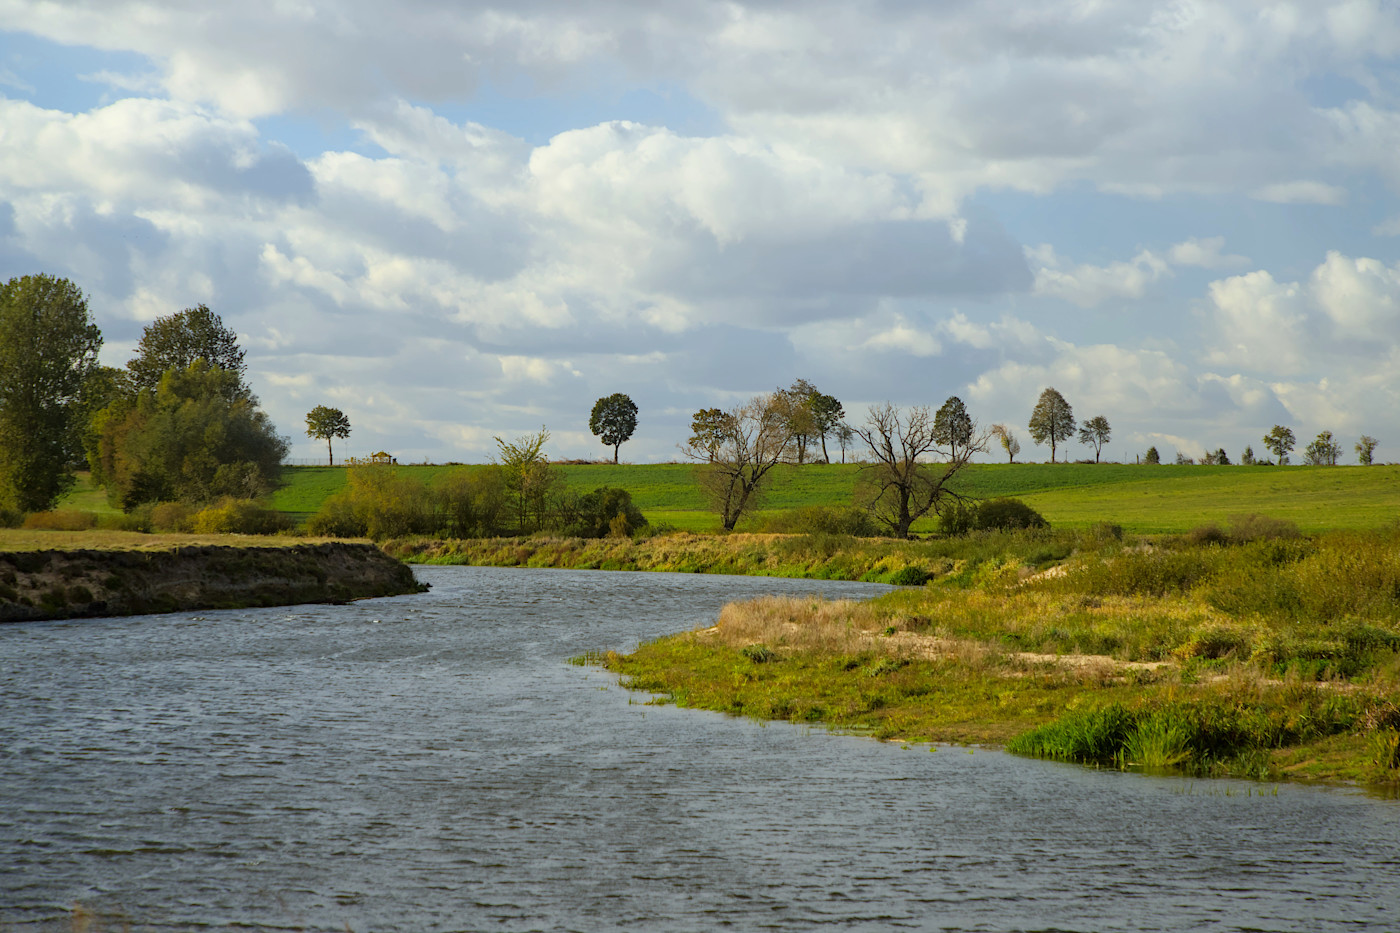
<point>83,583</point>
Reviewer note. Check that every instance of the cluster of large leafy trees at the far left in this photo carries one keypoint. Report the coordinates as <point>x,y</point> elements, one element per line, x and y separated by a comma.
<point>178,422</point>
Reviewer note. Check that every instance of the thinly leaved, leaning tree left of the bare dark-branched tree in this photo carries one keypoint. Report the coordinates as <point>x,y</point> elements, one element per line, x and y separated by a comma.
<point>736,460</point>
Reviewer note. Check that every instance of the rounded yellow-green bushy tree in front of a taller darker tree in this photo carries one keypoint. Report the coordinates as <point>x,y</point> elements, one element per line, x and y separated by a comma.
<point>197,438</point>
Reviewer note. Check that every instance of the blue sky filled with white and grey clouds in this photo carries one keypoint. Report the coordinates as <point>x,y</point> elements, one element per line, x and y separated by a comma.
<point>456,221</point>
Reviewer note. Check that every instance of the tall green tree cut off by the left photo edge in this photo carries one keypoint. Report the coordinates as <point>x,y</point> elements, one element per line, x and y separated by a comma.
<point>48,351</point>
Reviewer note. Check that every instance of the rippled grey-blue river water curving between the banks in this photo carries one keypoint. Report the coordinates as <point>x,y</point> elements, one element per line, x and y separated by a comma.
<point>432,763</point>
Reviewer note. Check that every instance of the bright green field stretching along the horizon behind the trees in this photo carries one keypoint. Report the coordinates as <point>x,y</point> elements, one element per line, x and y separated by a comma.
<point>1142,499</point>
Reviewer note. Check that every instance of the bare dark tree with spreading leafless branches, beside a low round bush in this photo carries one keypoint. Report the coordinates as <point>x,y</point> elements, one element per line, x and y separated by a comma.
<point>898,487</point>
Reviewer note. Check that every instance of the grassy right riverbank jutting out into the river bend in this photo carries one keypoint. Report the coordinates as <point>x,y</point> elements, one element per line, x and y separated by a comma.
<point>1254,654</point>
